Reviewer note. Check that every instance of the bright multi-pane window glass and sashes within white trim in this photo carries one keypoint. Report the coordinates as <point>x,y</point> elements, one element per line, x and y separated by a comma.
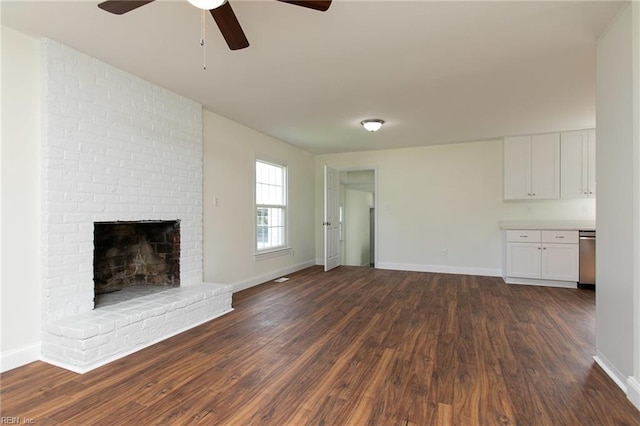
<point>271,206</point>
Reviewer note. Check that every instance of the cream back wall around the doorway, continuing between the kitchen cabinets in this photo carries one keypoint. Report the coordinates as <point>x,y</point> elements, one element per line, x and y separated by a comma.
<point>442,197</point>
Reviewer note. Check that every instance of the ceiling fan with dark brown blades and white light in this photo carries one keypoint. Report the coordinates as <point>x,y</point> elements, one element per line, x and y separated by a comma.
<point>220,10</point>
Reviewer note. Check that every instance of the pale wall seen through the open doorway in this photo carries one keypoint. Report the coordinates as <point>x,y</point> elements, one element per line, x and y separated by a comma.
<point>357,227</point>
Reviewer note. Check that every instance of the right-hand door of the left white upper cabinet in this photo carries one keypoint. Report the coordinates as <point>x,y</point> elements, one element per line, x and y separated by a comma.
<point>545,166</point>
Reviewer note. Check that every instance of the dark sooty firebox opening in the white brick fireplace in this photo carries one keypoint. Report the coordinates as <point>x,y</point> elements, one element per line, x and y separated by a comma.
<point>133,259</point>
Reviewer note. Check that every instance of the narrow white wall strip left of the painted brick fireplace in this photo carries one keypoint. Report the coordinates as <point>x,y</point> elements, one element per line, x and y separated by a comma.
<point>20,228</point>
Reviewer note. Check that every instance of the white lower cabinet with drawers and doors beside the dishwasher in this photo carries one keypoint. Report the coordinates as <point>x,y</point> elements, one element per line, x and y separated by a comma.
<point>542,255</point>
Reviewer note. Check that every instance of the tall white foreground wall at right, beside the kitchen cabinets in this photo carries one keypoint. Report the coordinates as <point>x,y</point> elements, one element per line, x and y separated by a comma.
<point>615,255</point>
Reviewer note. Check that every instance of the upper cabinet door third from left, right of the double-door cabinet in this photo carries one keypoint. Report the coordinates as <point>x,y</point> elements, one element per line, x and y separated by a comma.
<point>574,155</point>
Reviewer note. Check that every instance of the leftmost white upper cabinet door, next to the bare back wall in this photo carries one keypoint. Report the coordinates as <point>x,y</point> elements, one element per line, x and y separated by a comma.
<point>517,168</point>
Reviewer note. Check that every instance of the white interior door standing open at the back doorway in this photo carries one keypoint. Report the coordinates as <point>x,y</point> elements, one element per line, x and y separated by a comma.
<point>331,218</point>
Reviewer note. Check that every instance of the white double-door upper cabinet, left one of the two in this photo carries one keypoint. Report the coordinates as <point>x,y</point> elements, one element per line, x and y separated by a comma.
<point>532,167</point>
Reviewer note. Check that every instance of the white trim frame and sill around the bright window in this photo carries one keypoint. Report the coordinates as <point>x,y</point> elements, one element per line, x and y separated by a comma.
<point>286,249</point>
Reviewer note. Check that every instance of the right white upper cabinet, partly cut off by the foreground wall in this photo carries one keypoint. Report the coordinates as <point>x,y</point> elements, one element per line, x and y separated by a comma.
<point>578,151</point>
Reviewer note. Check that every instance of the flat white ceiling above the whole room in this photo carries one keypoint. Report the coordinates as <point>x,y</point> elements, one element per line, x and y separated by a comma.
<point>436,71</point>
